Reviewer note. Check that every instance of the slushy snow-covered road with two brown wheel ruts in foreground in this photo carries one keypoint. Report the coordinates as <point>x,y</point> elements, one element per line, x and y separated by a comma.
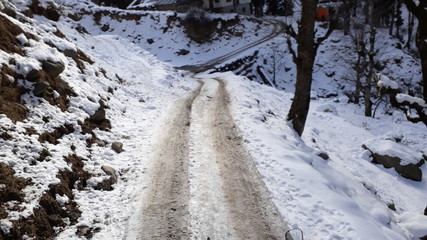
<point>204,184</point>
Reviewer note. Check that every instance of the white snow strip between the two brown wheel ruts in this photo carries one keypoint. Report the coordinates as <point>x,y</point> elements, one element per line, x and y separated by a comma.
<point>209,214</point>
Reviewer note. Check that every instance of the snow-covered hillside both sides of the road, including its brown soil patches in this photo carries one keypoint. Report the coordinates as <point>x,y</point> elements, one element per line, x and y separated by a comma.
<point>54,147</point>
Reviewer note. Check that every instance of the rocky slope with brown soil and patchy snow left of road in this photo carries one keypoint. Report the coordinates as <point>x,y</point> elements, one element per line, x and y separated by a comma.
<point>59,112</point>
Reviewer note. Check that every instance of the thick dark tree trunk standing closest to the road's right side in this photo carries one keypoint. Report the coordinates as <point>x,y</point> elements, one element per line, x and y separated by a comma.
<point>305,61</point>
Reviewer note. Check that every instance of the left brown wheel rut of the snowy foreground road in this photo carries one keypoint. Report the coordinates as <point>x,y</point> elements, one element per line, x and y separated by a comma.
<point>165,203</point>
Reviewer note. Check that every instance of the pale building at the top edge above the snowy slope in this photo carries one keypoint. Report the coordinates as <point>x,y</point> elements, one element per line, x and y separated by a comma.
<point>228,6</point>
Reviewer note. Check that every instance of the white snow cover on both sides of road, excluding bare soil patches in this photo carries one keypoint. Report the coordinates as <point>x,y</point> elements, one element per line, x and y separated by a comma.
<point>344,197</point>
